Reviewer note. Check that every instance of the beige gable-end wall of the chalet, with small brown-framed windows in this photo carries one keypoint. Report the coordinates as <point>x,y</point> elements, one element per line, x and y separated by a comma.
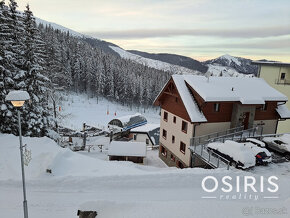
<point>175,129</point>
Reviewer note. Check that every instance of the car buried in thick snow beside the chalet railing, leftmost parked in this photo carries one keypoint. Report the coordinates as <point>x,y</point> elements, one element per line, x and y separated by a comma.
<point>239,155</point>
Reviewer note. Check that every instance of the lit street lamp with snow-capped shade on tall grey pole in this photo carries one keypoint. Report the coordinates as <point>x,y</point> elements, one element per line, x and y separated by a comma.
<point>18,99</point>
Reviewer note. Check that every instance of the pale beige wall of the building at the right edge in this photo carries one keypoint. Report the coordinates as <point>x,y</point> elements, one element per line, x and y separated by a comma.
<point>271,74</point>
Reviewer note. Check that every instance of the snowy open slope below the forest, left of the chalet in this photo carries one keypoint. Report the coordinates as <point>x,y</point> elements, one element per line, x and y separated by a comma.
<point>77,109</point>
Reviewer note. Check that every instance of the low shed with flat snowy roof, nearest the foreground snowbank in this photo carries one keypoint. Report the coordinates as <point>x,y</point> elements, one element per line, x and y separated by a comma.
<point>127,151</point>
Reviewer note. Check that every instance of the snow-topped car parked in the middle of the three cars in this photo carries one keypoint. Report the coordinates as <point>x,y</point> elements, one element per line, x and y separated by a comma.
<point>262,155</point>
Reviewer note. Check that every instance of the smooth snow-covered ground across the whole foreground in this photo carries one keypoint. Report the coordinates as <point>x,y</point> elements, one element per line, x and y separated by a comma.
<point>121,189</point>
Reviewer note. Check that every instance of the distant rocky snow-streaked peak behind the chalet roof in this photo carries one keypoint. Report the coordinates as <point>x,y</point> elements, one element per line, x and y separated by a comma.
<point>239,64</point>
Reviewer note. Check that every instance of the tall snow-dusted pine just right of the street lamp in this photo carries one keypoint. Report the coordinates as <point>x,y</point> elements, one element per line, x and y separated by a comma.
<point>36,112</point>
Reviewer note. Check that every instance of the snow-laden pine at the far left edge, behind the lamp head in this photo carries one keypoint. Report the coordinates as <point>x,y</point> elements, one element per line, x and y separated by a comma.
<point>11,30</point>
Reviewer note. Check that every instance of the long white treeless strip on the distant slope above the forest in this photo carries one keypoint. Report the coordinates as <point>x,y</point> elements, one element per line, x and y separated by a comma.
<point>159,65</point>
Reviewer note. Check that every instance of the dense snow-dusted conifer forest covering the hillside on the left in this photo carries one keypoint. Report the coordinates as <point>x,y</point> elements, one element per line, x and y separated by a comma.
<point>39,59</point>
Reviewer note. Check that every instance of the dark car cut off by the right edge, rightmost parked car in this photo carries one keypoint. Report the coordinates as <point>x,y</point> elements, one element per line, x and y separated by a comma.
<point>279,144</point>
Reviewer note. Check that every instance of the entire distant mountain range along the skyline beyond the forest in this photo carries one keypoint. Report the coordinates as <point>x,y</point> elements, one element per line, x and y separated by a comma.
<point>227,64</point>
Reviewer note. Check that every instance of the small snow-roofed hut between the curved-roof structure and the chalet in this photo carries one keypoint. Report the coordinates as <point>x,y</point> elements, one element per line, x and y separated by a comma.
<point>148,133</point>
